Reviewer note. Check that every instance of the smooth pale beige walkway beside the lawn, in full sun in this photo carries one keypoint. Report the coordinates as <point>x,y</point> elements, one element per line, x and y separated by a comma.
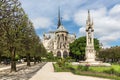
<point>47,73</point>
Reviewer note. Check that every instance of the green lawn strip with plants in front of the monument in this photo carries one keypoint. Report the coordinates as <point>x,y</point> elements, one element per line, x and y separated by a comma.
<point>112,72</point>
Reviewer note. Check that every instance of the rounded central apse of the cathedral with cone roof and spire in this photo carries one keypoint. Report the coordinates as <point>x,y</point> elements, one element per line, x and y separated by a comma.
<point>61,39</point>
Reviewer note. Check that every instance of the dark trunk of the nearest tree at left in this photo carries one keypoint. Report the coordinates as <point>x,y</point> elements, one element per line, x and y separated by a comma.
<point>13,62</point>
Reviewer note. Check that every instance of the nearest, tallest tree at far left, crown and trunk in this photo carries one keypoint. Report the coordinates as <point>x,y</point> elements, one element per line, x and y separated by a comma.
<point>11,20</point>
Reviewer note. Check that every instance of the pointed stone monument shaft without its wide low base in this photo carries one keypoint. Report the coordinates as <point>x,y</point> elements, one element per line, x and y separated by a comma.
<point>89,51</point>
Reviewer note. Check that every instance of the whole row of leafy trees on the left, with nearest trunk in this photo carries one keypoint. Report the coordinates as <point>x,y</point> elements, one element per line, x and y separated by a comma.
<point>17,34</point>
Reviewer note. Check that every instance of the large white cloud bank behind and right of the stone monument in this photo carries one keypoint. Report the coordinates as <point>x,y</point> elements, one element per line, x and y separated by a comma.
<point>107,28</point>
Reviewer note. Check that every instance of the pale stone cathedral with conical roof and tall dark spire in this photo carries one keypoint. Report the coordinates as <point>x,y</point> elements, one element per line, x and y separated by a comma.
<point>58,41</point>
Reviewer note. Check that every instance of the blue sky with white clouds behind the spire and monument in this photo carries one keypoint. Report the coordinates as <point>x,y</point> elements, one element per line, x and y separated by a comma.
<point>105,14</point>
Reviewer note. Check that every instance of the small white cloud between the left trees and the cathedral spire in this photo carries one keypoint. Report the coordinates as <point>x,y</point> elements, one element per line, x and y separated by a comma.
<point>42,22</point>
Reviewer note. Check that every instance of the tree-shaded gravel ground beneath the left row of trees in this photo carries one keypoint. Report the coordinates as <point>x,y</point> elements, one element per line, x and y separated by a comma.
<point>23,72</point>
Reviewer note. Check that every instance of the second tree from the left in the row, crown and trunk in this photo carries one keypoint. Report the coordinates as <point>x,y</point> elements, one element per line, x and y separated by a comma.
<point>27,41</point>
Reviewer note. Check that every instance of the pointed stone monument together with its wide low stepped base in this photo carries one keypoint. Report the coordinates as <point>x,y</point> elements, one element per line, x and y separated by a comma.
<point>90,53</point>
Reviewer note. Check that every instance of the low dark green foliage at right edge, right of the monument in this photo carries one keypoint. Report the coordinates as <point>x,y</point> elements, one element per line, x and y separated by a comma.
<point>110,54</point>
